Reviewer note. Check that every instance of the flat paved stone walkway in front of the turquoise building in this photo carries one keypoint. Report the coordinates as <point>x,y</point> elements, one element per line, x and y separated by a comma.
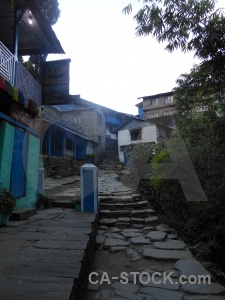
<point>46,256</point>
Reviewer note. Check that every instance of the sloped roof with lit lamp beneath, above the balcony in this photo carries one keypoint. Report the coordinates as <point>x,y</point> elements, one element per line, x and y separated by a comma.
<point>34,38</point>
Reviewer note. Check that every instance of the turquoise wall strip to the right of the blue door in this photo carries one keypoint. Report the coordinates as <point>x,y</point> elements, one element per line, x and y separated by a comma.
<point>33,146</point>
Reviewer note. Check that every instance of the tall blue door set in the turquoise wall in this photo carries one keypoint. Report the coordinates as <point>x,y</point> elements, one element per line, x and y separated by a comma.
<point>17,187</point>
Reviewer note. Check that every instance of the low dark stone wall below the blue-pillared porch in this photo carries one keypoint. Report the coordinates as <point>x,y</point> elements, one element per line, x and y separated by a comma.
<point>57,166</point>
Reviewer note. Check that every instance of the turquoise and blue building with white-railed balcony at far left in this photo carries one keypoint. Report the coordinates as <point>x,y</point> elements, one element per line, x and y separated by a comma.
<point>24,31</point>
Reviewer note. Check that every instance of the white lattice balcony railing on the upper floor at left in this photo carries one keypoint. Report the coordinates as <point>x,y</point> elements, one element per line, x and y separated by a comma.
<point>25,82</point>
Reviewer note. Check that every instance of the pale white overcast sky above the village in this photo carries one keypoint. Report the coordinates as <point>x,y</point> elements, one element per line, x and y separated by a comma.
<point>110,65</point>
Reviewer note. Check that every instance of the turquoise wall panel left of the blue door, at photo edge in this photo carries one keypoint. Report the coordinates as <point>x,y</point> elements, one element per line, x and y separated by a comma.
<point>6,148</point>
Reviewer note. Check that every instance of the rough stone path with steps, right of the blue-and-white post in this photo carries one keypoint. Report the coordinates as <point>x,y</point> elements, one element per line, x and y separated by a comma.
<point>140,259</point>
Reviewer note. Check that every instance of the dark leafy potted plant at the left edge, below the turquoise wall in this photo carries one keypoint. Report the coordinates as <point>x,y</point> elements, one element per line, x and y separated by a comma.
<point>7,201</point>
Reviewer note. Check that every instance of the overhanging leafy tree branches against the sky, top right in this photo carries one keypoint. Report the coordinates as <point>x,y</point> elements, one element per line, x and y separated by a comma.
<point>189,25</point>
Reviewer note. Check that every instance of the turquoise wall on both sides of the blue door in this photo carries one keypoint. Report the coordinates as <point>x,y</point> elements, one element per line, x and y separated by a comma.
<point>32,163</point>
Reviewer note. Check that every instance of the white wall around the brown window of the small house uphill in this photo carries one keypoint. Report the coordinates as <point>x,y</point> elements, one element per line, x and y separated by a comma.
<point>148,135</point>
